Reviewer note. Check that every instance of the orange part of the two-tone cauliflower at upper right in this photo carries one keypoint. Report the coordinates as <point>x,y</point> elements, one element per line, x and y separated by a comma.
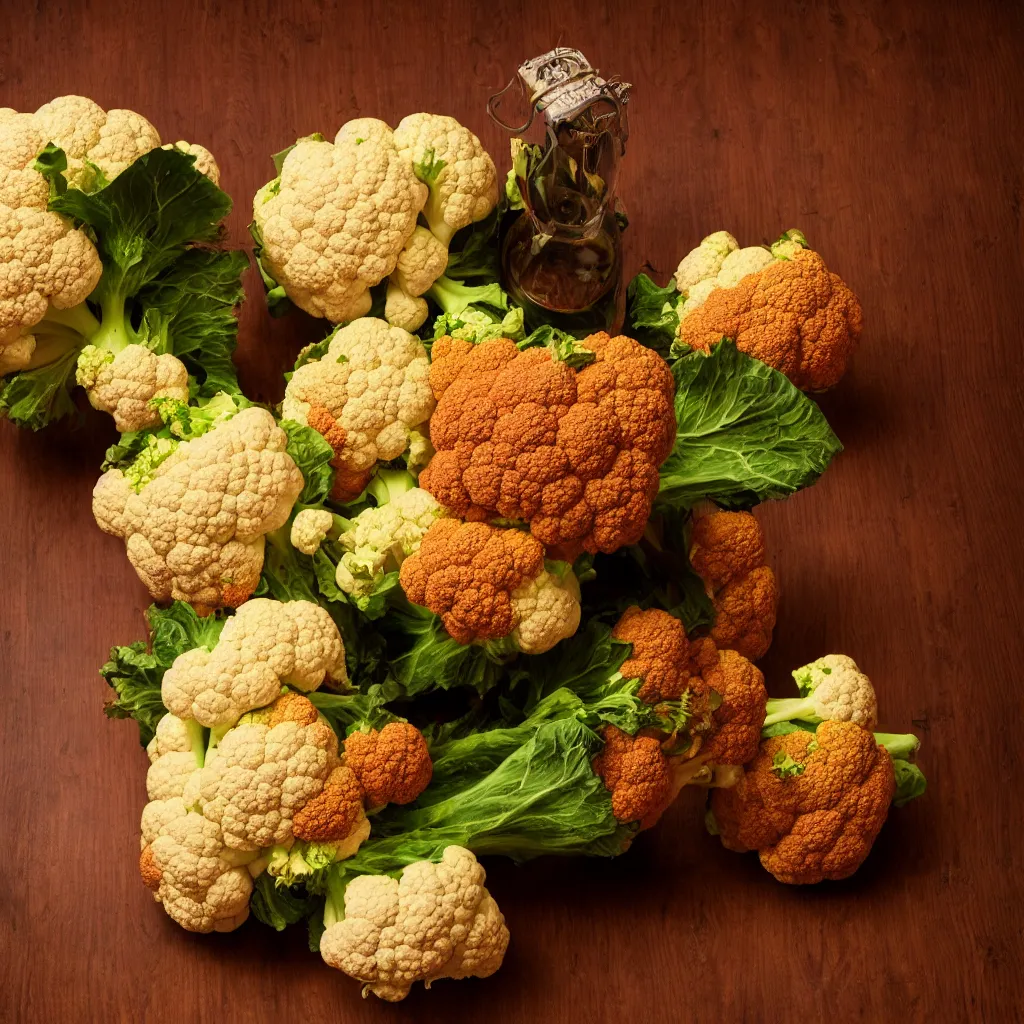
<point>794,315</point>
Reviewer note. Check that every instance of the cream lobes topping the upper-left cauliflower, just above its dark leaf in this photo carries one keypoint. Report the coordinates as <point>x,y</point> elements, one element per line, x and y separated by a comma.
<point>110,140</point>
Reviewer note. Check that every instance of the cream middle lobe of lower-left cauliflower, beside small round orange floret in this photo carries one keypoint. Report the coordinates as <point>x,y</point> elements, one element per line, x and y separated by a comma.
<point>260,777</point>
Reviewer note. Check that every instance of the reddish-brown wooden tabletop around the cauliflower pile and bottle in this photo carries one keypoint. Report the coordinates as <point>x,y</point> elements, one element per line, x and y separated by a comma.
<point>892,135</point>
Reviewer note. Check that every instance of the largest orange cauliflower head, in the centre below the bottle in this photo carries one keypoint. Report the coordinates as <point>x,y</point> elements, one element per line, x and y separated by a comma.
<point>524,437</point>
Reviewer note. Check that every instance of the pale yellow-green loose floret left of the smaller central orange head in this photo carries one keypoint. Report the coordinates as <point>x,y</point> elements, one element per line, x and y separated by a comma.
<point>379,539</point>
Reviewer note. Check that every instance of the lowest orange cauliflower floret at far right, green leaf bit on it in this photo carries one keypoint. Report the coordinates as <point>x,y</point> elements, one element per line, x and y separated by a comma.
<point>810,803</point>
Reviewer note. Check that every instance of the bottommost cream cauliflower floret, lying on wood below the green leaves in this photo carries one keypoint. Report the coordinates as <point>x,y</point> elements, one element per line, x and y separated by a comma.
<point>438,921</point>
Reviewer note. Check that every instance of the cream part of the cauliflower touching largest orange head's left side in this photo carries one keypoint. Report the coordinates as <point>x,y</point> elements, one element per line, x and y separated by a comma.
<point>377,395</point>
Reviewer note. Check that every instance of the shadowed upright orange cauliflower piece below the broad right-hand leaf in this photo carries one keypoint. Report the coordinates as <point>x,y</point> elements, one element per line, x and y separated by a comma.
<point>728,550</point>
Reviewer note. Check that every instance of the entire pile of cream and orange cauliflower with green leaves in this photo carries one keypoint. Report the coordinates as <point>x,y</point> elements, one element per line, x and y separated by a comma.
<point>468,591</point>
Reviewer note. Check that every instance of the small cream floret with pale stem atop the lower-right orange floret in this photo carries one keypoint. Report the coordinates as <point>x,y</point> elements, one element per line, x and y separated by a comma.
<point>833,689</point>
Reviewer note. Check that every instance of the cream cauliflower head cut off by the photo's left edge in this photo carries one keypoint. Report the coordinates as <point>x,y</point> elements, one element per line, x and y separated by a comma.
<point>45,261</point>
